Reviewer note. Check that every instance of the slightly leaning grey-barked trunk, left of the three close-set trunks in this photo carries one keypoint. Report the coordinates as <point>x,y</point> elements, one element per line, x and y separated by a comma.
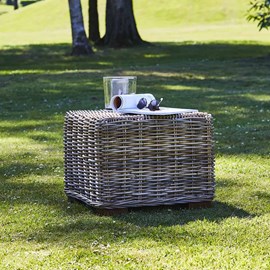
<point>80,43</point>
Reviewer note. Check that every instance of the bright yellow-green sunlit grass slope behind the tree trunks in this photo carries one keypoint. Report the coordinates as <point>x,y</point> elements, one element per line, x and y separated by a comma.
<point>173,21</point>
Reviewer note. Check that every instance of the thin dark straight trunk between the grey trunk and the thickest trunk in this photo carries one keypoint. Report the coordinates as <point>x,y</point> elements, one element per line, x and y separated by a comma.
<point>94,34</point>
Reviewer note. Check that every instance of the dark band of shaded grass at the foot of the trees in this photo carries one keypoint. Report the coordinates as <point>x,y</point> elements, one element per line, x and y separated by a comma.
<point>56,56</point>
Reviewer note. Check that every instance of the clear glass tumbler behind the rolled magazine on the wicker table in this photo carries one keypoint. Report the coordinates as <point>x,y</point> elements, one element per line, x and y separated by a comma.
<point>118,85</point>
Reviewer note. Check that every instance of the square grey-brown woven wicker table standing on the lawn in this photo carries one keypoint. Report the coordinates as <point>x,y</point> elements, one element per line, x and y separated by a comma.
<point>117,161</point>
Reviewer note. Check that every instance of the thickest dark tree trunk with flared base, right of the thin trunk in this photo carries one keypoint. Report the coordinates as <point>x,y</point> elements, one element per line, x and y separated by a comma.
<point>121,29</point>
